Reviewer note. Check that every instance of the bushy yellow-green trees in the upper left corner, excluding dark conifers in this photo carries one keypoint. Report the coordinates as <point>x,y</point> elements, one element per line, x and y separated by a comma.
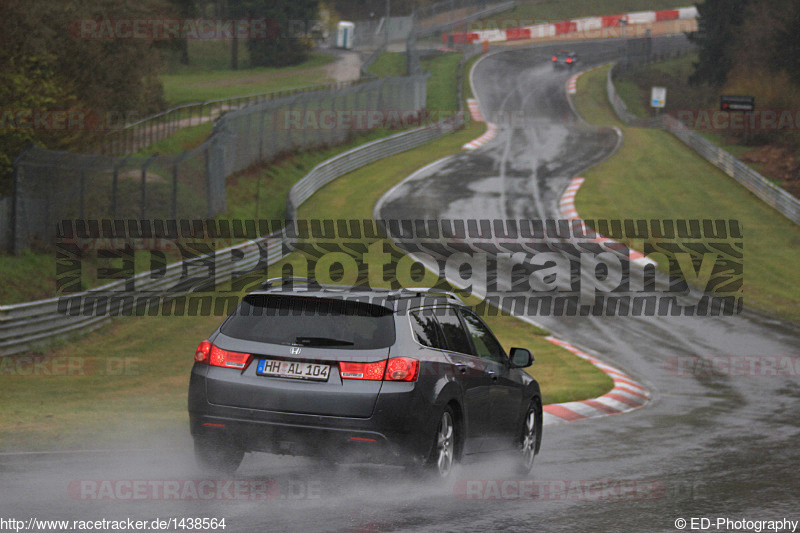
<point>46,67</point>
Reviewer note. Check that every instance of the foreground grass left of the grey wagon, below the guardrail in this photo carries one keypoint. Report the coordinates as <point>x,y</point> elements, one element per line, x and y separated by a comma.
<point>145,395</point>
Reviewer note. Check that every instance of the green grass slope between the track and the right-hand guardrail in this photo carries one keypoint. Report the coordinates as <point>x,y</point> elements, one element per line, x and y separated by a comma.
<point>655,176</point>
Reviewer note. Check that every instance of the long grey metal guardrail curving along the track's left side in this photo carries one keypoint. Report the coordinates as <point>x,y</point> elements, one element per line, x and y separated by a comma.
<point>23,326</point>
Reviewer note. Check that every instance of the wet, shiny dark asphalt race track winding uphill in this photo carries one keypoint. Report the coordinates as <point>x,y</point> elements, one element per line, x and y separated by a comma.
<point>705,446</point>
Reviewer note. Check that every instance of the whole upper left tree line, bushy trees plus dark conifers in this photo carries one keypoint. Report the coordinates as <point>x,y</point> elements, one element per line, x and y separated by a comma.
<point>47,66</point>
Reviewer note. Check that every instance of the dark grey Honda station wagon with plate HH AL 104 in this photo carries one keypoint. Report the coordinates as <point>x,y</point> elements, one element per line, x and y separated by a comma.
<point>409,376</point>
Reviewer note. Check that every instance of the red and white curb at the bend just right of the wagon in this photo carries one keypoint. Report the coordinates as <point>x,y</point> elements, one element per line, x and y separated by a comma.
<point>626,395</point>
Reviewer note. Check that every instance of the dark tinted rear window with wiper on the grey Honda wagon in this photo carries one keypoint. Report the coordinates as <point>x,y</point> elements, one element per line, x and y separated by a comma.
<point>307,321</point>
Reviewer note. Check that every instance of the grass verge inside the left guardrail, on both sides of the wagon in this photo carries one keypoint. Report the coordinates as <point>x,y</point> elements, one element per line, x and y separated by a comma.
<point>100,409</point>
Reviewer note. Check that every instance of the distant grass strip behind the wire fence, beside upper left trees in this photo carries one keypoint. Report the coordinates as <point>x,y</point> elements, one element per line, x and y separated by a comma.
<point>198,85</point>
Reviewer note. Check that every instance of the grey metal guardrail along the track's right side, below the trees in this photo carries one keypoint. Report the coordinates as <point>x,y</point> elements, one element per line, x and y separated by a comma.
<point>785,203</point>
